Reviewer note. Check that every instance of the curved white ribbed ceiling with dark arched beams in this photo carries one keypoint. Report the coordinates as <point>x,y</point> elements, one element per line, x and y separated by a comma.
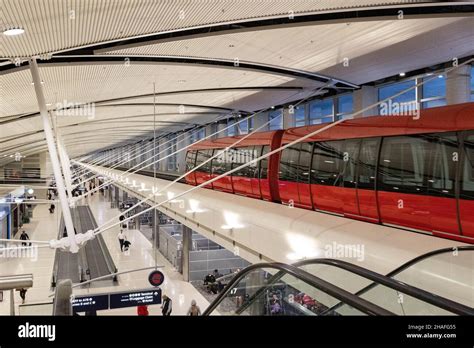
<point>109,55</point>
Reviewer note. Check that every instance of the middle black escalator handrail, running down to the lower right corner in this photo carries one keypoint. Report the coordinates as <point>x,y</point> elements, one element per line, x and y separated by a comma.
<point>377,278</point>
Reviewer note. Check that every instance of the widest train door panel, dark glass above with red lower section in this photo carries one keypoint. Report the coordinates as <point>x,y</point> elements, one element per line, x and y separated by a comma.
<point>402,182</point>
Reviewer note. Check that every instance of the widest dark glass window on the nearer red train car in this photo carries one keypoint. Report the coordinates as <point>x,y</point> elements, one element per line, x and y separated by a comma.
<point>402,165</point>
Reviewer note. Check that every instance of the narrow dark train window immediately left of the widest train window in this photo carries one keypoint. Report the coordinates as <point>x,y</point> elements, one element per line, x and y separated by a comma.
<point>367,163</point>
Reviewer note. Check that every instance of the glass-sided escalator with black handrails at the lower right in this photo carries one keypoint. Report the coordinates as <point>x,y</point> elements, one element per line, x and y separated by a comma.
<point>329,287</point>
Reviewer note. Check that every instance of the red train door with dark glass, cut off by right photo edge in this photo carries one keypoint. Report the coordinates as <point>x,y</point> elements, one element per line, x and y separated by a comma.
<point>466,186</point>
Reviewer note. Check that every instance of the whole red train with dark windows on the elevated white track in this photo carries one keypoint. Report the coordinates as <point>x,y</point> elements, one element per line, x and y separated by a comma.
<point>411,172</point>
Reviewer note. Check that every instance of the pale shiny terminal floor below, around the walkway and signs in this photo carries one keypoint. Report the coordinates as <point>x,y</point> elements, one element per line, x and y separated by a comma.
<point>141,255</point>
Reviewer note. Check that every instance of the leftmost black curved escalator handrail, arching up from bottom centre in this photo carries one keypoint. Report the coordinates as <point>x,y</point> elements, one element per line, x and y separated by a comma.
<point>342,295</point>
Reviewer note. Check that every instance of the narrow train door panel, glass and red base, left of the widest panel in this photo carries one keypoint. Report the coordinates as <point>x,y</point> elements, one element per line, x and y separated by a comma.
<point>366,175</point>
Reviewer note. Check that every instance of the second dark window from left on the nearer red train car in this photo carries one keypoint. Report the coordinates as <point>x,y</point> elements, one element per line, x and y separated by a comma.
<point>327,163</point>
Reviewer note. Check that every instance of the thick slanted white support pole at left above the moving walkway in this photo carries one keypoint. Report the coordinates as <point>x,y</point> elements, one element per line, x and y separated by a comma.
<point>54,155</point>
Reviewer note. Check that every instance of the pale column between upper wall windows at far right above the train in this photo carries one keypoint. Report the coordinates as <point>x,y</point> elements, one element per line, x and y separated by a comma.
<point>458,85</point>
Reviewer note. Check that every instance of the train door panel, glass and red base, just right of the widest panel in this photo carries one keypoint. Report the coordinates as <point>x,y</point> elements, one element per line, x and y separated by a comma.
<point>444,159</point>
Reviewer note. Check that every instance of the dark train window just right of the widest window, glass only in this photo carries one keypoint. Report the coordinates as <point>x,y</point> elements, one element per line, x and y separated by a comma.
<point>444,154</point>
